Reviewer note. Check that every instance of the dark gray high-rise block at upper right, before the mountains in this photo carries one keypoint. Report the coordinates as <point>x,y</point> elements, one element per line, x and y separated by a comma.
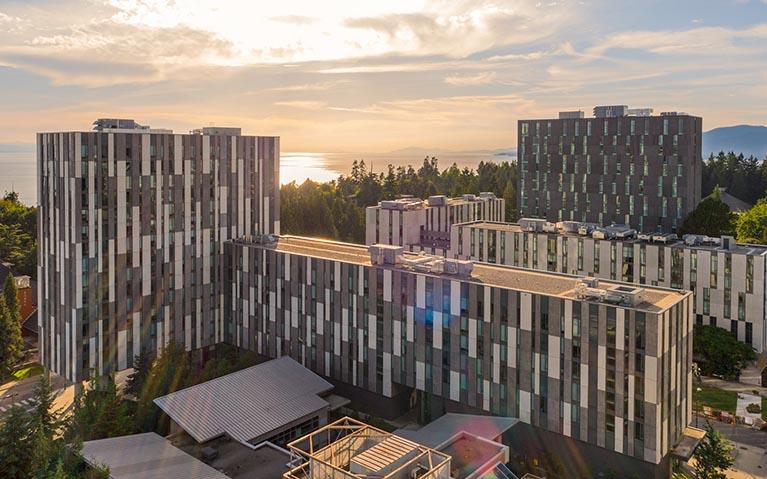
<point>623,166</point>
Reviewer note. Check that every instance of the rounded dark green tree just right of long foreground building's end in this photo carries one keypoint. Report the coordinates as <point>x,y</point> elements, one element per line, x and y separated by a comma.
<point>720,353</point>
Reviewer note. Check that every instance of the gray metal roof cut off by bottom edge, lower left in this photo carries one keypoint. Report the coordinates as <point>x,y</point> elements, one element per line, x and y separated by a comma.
<point>146,456</point>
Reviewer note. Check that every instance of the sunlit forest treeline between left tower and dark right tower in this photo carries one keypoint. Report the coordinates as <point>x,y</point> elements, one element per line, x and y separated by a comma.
<point>336,209</point>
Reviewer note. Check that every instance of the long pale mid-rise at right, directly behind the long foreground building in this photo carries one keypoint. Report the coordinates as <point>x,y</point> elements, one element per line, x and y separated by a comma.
<point>729,279</point>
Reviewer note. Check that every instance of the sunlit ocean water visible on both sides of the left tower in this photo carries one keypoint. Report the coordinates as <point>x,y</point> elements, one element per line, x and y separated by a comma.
<point>18,169</point>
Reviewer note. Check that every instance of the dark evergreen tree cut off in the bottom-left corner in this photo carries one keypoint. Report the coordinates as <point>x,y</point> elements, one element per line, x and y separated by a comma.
<point>15,444</point>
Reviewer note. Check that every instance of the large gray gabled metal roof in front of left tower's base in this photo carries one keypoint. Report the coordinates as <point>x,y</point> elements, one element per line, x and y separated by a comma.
<point>247,404</point>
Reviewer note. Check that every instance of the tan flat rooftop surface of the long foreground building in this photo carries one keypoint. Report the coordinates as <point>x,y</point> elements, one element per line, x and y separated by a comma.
<point>559,285</point>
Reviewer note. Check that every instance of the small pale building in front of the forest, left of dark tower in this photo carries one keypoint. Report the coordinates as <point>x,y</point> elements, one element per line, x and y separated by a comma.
<point>420,225</point>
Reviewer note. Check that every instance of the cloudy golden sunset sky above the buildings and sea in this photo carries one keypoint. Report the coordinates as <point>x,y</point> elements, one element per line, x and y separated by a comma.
<point>374,76</point>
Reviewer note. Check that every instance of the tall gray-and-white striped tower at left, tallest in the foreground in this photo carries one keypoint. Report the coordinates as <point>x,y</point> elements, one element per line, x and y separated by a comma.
<point>132,223</point>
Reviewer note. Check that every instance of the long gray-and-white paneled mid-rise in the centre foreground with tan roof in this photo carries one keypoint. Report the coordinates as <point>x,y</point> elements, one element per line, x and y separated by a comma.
<point>608,364</point>
